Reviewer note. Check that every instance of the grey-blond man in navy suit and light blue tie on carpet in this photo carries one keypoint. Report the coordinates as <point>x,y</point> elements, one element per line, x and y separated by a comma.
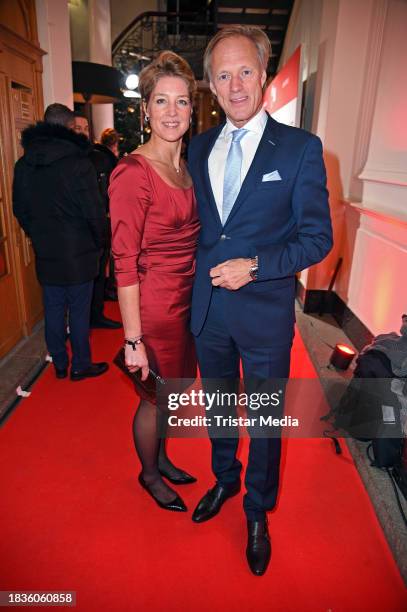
<point>263,205</point>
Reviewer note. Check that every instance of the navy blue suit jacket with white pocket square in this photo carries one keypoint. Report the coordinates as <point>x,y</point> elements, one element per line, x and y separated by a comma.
<point>286,223</point>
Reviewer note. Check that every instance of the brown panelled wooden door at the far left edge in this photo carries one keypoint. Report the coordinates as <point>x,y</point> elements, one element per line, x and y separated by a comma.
<point>21,104</point>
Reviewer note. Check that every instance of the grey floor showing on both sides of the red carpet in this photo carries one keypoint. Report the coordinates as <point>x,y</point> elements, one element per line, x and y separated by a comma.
<point>27,360</point>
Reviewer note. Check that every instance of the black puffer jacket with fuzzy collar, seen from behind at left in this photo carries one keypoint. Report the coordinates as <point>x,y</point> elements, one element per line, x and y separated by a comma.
<point>58,204</point>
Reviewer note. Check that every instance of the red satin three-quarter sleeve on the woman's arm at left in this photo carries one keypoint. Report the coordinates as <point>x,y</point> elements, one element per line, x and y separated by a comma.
<point>130,197</point>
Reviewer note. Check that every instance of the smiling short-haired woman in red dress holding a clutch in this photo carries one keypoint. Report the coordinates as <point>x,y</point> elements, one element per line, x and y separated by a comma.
<point>154,234</point>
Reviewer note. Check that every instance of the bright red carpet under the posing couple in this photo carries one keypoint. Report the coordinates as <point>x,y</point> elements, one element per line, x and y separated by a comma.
<point>73,516</point>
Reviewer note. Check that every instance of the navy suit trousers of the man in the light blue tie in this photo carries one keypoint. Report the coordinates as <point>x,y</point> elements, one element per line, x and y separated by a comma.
<point>219,357</point>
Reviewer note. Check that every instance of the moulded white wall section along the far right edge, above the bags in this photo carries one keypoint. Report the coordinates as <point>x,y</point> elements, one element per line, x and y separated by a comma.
<point>377,290</point>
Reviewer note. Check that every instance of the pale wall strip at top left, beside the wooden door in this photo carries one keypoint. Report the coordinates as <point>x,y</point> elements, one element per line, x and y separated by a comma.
<point>54,38</point>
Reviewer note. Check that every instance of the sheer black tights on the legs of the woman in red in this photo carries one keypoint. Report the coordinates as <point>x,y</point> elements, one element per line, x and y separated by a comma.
<point>151,450</point>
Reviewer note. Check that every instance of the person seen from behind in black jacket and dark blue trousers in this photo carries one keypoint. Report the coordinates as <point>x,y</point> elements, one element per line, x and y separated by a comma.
<point>57,203</point>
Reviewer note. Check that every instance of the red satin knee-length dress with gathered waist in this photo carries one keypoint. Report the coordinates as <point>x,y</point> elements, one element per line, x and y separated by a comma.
<point>154,235</point>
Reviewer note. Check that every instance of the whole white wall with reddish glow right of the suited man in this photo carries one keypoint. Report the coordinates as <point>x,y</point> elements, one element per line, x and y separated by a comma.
<point>359,113</point>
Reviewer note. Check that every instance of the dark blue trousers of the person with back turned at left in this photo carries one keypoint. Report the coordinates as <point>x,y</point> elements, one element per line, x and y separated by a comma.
<point>76,299</point>
